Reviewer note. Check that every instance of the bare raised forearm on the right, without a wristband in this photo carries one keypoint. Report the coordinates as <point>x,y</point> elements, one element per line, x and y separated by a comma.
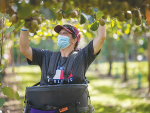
<point>99,39</point>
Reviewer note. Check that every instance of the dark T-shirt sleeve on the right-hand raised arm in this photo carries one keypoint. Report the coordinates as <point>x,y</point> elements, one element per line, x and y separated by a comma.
<point>89,53</point>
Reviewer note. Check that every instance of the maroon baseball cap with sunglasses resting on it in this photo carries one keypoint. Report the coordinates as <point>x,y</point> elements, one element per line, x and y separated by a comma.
<point>69,28</point>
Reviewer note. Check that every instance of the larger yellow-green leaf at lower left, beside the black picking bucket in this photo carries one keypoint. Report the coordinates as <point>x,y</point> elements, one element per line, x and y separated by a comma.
<point>10,93</point>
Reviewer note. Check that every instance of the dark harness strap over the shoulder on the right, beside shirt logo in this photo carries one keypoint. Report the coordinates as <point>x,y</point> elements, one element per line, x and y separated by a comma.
<point>68,66</point>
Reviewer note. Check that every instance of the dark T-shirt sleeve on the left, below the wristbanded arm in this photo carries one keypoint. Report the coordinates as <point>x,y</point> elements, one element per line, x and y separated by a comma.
<point>37,57</point>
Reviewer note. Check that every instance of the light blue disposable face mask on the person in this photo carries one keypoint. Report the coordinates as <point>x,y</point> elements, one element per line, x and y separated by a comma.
<point>63,41</point>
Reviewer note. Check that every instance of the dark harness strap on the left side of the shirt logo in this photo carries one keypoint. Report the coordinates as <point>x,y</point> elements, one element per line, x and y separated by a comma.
<point>53,64</point>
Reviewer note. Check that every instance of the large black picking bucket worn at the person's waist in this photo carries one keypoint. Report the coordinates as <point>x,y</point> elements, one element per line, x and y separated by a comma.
<point>58,95</point>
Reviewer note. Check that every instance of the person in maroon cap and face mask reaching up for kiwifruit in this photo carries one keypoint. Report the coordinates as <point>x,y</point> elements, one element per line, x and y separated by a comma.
<point>67,40</point>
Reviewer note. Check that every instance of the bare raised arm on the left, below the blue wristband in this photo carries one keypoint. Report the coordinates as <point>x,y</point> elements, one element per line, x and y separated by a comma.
<point>24,45</point>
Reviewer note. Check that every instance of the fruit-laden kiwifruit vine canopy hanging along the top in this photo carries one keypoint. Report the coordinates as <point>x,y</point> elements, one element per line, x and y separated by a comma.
<point>122,10</point>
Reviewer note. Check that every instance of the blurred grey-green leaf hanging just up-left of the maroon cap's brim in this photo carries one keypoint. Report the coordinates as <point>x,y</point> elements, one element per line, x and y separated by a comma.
<point>49,13</point>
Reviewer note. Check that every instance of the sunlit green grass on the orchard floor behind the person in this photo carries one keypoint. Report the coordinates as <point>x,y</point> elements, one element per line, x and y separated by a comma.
<point>108,95</point>
